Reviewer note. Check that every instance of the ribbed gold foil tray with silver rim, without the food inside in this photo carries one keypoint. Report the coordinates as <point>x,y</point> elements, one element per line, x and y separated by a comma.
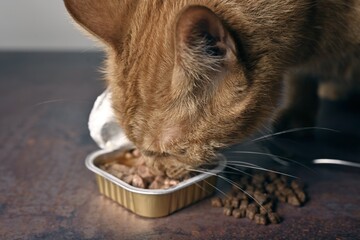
<point>148,202</point>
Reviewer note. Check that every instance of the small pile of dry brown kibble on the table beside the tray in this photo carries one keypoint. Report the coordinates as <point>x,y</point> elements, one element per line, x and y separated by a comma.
<point>262,192</point>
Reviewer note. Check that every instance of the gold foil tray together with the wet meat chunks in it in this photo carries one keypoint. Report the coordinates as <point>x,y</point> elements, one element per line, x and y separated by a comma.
<point>132,185</point>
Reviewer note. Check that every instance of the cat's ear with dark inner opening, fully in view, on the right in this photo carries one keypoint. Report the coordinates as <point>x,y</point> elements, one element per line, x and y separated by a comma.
<point>203,44</point>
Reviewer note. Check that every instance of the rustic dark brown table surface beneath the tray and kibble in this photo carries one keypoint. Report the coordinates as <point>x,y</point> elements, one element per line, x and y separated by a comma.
<point>47,193</point>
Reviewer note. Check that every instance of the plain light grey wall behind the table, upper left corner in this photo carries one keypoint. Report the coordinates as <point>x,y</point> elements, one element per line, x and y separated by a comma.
<point>39,25</point>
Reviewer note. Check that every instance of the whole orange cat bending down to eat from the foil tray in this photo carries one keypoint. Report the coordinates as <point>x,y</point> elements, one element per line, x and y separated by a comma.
<point>191,76</point>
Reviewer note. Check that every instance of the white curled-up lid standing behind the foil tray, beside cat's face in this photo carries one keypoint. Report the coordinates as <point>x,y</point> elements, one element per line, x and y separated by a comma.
<point>103,125</point>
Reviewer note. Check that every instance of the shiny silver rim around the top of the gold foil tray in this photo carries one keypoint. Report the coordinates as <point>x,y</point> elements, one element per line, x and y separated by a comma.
<point>89,162</point>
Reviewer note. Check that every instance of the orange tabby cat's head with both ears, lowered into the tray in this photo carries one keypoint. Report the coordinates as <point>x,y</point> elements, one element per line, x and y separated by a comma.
<point>186,79</point>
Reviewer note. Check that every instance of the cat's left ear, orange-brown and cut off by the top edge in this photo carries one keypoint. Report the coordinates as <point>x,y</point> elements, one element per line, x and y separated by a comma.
<point>103,19</point>
